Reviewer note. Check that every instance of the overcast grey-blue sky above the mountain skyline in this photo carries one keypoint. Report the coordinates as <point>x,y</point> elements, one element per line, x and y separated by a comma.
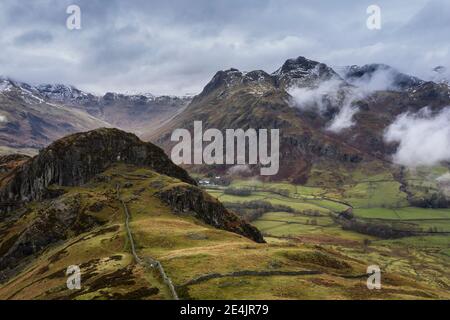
<point>176,46</point>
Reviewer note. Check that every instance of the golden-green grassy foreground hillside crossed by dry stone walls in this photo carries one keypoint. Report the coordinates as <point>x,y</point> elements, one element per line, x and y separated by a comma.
<point>299,261</point>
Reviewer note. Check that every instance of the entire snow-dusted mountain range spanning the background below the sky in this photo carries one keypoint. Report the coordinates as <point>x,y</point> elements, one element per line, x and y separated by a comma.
<point>303,98</point>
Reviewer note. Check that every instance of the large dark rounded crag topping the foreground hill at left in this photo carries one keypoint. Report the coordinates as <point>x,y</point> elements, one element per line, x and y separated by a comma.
<point>75,159</point>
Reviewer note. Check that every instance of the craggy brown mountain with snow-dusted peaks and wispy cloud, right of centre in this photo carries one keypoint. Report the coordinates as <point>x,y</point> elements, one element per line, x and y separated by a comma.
<point>323,118</point>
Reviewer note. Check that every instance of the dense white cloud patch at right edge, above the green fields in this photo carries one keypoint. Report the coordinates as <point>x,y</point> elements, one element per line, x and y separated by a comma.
<point>423,137</point>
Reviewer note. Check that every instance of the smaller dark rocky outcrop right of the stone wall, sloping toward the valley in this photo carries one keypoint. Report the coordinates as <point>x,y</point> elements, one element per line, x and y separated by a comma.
<point>188,198</point>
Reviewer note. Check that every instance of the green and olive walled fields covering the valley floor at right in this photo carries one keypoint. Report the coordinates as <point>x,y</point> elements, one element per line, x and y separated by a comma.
<point>372,199</point>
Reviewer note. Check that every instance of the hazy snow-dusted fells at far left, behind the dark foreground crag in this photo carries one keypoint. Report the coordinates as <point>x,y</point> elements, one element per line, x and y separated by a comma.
<point>31,117</point>
